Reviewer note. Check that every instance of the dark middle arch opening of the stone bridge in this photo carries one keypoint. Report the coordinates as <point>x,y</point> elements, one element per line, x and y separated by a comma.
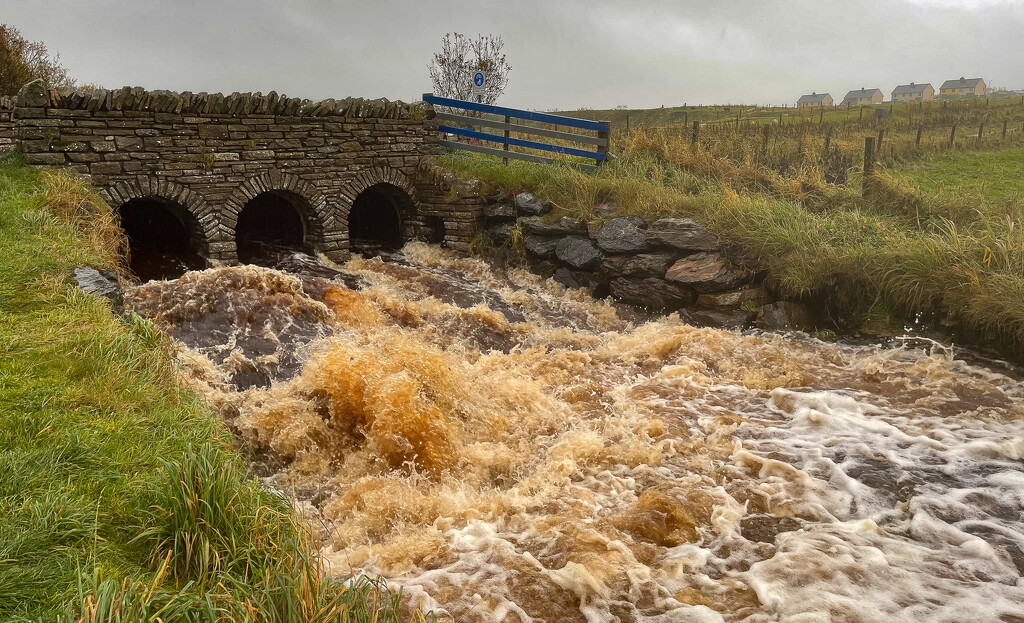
<point>271,224</point>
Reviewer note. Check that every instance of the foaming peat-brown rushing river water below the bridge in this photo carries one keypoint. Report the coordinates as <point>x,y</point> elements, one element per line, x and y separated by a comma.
<point>504,450</point>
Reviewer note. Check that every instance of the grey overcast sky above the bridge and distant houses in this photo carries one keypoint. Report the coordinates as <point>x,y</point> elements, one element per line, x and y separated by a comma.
<point>564,55</point>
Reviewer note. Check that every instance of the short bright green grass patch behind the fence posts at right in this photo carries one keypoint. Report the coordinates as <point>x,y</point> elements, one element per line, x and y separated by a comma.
<point>994,177</point>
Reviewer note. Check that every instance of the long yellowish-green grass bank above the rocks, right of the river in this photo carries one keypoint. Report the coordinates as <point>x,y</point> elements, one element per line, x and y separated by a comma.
<point>900,253</point>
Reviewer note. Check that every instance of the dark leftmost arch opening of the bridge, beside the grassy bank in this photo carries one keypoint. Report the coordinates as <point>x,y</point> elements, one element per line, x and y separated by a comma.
<point>163,239</point>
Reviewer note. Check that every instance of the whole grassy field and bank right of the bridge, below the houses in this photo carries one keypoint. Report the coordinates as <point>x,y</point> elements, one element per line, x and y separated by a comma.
<point>935,235</point>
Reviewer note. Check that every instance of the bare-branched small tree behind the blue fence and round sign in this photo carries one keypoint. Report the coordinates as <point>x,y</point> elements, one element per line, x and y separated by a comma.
<point>452,70</point>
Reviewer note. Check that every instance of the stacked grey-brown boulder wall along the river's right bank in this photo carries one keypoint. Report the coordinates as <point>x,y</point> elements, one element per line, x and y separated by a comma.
<point>669,265</point>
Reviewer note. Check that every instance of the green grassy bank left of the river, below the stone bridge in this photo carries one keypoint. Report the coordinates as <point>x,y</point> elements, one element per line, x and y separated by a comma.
<point>121,499</point>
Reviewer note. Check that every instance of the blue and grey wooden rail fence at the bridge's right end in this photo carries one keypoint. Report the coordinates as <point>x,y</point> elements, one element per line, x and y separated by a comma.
<point>463,126</point>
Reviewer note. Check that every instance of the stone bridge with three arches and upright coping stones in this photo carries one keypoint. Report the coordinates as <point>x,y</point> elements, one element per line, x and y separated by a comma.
<point>207,171</point>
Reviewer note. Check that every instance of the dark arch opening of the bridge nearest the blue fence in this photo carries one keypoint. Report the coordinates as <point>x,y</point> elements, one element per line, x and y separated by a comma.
<point>375,221</point>
